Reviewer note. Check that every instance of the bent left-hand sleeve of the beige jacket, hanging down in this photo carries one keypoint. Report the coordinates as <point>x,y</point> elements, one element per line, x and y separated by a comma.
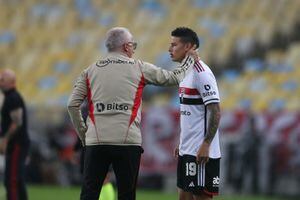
<point>77,97</point>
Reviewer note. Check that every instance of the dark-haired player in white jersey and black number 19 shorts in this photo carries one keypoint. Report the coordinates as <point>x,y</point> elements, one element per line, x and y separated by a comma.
<point>199,149</point>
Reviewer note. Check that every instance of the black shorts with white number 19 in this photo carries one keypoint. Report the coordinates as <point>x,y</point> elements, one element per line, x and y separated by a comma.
<point>198,179</point>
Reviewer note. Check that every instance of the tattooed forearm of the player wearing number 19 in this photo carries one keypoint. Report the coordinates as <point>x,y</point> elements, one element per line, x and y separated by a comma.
<point>213,117</point>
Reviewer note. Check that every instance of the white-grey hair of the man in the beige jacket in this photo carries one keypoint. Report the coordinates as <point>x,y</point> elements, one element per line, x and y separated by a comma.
<point>116,37</point>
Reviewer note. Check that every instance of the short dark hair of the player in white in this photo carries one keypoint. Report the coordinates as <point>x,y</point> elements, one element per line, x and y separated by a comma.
<point>186,35</point>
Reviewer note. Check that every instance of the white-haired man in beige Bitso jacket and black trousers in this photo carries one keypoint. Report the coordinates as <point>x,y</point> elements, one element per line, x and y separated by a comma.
<point>113,87</point>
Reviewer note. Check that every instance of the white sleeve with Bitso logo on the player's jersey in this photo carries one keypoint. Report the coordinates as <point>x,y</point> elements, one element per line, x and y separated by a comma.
<point>207,86</point>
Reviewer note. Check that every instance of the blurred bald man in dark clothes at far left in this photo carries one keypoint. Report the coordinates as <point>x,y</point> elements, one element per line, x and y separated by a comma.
<point>14,137</point>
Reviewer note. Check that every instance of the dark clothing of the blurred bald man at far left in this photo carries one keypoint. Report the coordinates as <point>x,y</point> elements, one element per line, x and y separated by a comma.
<point>17,148</point>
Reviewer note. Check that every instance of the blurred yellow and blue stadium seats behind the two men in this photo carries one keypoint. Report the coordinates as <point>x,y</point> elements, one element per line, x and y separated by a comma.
<point>253,46</point>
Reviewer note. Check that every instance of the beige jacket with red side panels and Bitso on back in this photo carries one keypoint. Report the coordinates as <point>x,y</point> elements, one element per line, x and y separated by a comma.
<point>113,87</point>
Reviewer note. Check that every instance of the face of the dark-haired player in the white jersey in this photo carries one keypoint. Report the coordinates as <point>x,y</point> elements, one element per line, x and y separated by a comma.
<point>178,49</point>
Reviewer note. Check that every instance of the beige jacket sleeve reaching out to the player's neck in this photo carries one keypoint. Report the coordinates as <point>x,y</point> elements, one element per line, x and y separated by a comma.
<point>158,76</point>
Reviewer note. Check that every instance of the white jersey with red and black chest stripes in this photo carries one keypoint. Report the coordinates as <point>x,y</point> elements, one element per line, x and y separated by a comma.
<point>198,89</point>
